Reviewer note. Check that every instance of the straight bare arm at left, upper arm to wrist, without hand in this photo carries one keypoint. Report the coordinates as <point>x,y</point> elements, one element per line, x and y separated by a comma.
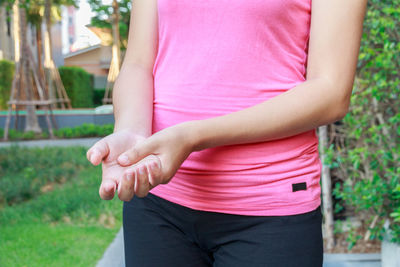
<point>133,89</point>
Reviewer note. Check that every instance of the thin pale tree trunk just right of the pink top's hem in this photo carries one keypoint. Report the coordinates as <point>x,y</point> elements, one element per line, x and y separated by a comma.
<point>326,190</point>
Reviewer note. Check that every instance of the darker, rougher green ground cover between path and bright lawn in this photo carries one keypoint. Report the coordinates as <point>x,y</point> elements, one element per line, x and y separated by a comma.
<point>24,172</point>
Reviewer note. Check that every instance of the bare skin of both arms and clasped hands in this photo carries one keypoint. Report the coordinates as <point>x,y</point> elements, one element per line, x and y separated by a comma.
<point>336,29</point>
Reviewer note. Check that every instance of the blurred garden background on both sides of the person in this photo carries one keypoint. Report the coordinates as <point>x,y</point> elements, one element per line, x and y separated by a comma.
<point>58,63</point>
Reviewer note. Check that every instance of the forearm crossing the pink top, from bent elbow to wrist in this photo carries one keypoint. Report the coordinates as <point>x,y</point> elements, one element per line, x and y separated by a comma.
<point>300,109</point>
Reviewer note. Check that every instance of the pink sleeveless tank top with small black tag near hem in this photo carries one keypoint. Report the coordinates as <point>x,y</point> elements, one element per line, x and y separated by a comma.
<point>220,56</point>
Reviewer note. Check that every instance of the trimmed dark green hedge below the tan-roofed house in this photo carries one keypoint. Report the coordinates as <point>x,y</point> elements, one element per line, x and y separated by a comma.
<point>79,86</point>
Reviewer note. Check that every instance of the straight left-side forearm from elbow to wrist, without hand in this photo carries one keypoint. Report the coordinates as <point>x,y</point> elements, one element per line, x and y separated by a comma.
<point>133,99</point>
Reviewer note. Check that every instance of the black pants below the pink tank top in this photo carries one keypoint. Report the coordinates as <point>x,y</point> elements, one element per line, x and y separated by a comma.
<point>161,233</point>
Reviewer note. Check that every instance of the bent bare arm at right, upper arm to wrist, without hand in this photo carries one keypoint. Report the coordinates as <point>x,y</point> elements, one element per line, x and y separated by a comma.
<point>336,29</point>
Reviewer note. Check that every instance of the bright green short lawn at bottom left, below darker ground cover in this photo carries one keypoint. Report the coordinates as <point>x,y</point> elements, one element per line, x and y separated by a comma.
<point>67,226</point>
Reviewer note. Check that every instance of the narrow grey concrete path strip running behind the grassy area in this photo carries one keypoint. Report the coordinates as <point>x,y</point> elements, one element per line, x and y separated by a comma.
<point>87,142</point>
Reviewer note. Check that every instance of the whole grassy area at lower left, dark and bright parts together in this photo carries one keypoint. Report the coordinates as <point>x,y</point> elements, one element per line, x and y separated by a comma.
<point>54,215</point>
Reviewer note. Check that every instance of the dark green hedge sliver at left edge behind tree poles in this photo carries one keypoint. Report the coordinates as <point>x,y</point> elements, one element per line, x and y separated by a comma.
<point>6,77</point>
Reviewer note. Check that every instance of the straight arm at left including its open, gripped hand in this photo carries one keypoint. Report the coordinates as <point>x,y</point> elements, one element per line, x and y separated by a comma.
<point>133,107</point>
